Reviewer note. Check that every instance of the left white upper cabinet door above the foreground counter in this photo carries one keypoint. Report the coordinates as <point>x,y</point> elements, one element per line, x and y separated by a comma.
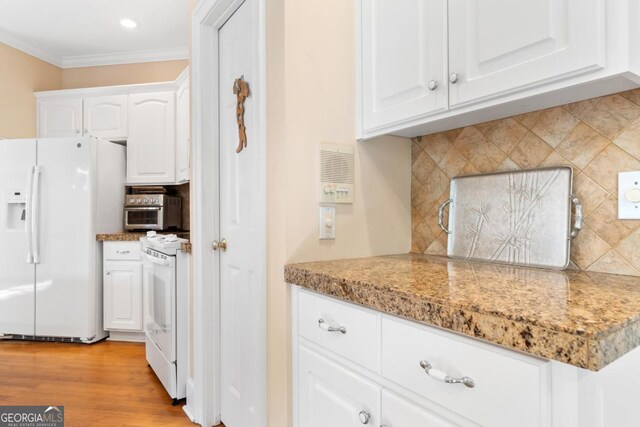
<point>403,48</point>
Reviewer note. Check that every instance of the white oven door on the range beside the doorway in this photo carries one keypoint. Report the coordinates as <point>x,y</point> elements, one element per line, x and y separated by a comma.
<point>160,316</point>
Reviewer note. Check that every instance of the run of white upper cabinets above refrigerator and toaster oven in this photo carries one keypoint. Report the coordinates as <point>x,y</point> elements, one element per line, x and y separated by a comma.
<point>153,119</point>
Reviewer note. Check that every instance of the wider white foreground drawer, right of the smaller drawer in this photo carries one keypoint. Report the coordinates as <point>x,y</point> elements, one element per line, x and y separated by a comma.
<point>509,390</point>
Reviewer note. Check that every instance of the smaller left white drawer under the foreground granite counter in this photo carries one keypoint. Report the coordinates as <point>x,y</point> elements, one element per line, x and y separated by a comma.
<point>360,340</point>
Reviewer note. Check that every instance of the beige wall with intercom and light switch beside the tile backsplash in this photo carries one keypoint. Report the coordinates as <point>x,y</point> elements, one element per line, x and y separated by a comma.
<point>311,99</point>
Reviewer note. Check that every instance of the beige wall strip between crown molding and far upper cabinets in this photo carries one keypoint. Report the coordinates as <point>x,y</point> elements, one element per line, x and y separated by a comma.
<point>111,75</point>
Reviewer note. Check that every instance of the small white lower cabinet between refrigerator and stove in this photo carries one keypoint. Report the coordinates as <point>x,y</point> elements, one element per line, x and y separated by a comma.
<point>123,292</point>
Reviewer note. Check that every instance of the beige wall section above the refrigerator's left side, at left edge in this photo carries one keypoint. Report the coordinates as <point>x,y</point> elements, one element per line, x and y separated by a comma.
<point>20,76</point>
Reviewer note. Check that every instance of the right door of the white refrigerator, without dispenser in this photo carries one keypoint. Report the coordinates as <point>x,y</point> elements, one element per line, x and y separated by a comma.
<point>65,241</point>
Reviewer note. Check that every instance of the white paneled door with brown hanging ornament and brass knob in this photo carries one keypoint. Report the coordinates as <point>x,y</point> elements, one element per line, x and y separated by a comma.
<point>241,311</point>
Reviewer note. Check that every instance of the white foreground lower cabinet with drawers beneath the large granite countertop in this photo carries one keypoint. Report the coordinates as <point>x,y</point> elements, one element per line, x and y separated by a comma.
<point>361,366</point>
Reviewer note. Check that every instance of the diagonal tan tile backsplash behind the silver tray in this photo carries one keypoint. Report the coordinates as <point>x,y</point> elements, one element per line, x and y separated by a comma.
<point>598,137</point>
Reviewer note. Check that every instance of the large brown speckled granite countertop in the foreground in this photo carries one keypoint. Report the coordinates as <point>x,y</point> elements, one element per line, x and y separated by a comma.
<point>584,319</point>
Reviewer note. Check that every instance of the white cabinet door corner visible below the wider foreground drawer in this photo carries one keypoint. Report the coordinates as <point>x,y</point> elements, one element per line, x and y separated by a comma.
<point>398,412</point>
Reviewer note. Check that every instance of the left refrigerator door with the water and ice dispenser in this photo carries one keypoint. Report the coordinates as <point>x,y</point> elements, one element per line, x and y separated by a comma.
<point>17,276</point>
